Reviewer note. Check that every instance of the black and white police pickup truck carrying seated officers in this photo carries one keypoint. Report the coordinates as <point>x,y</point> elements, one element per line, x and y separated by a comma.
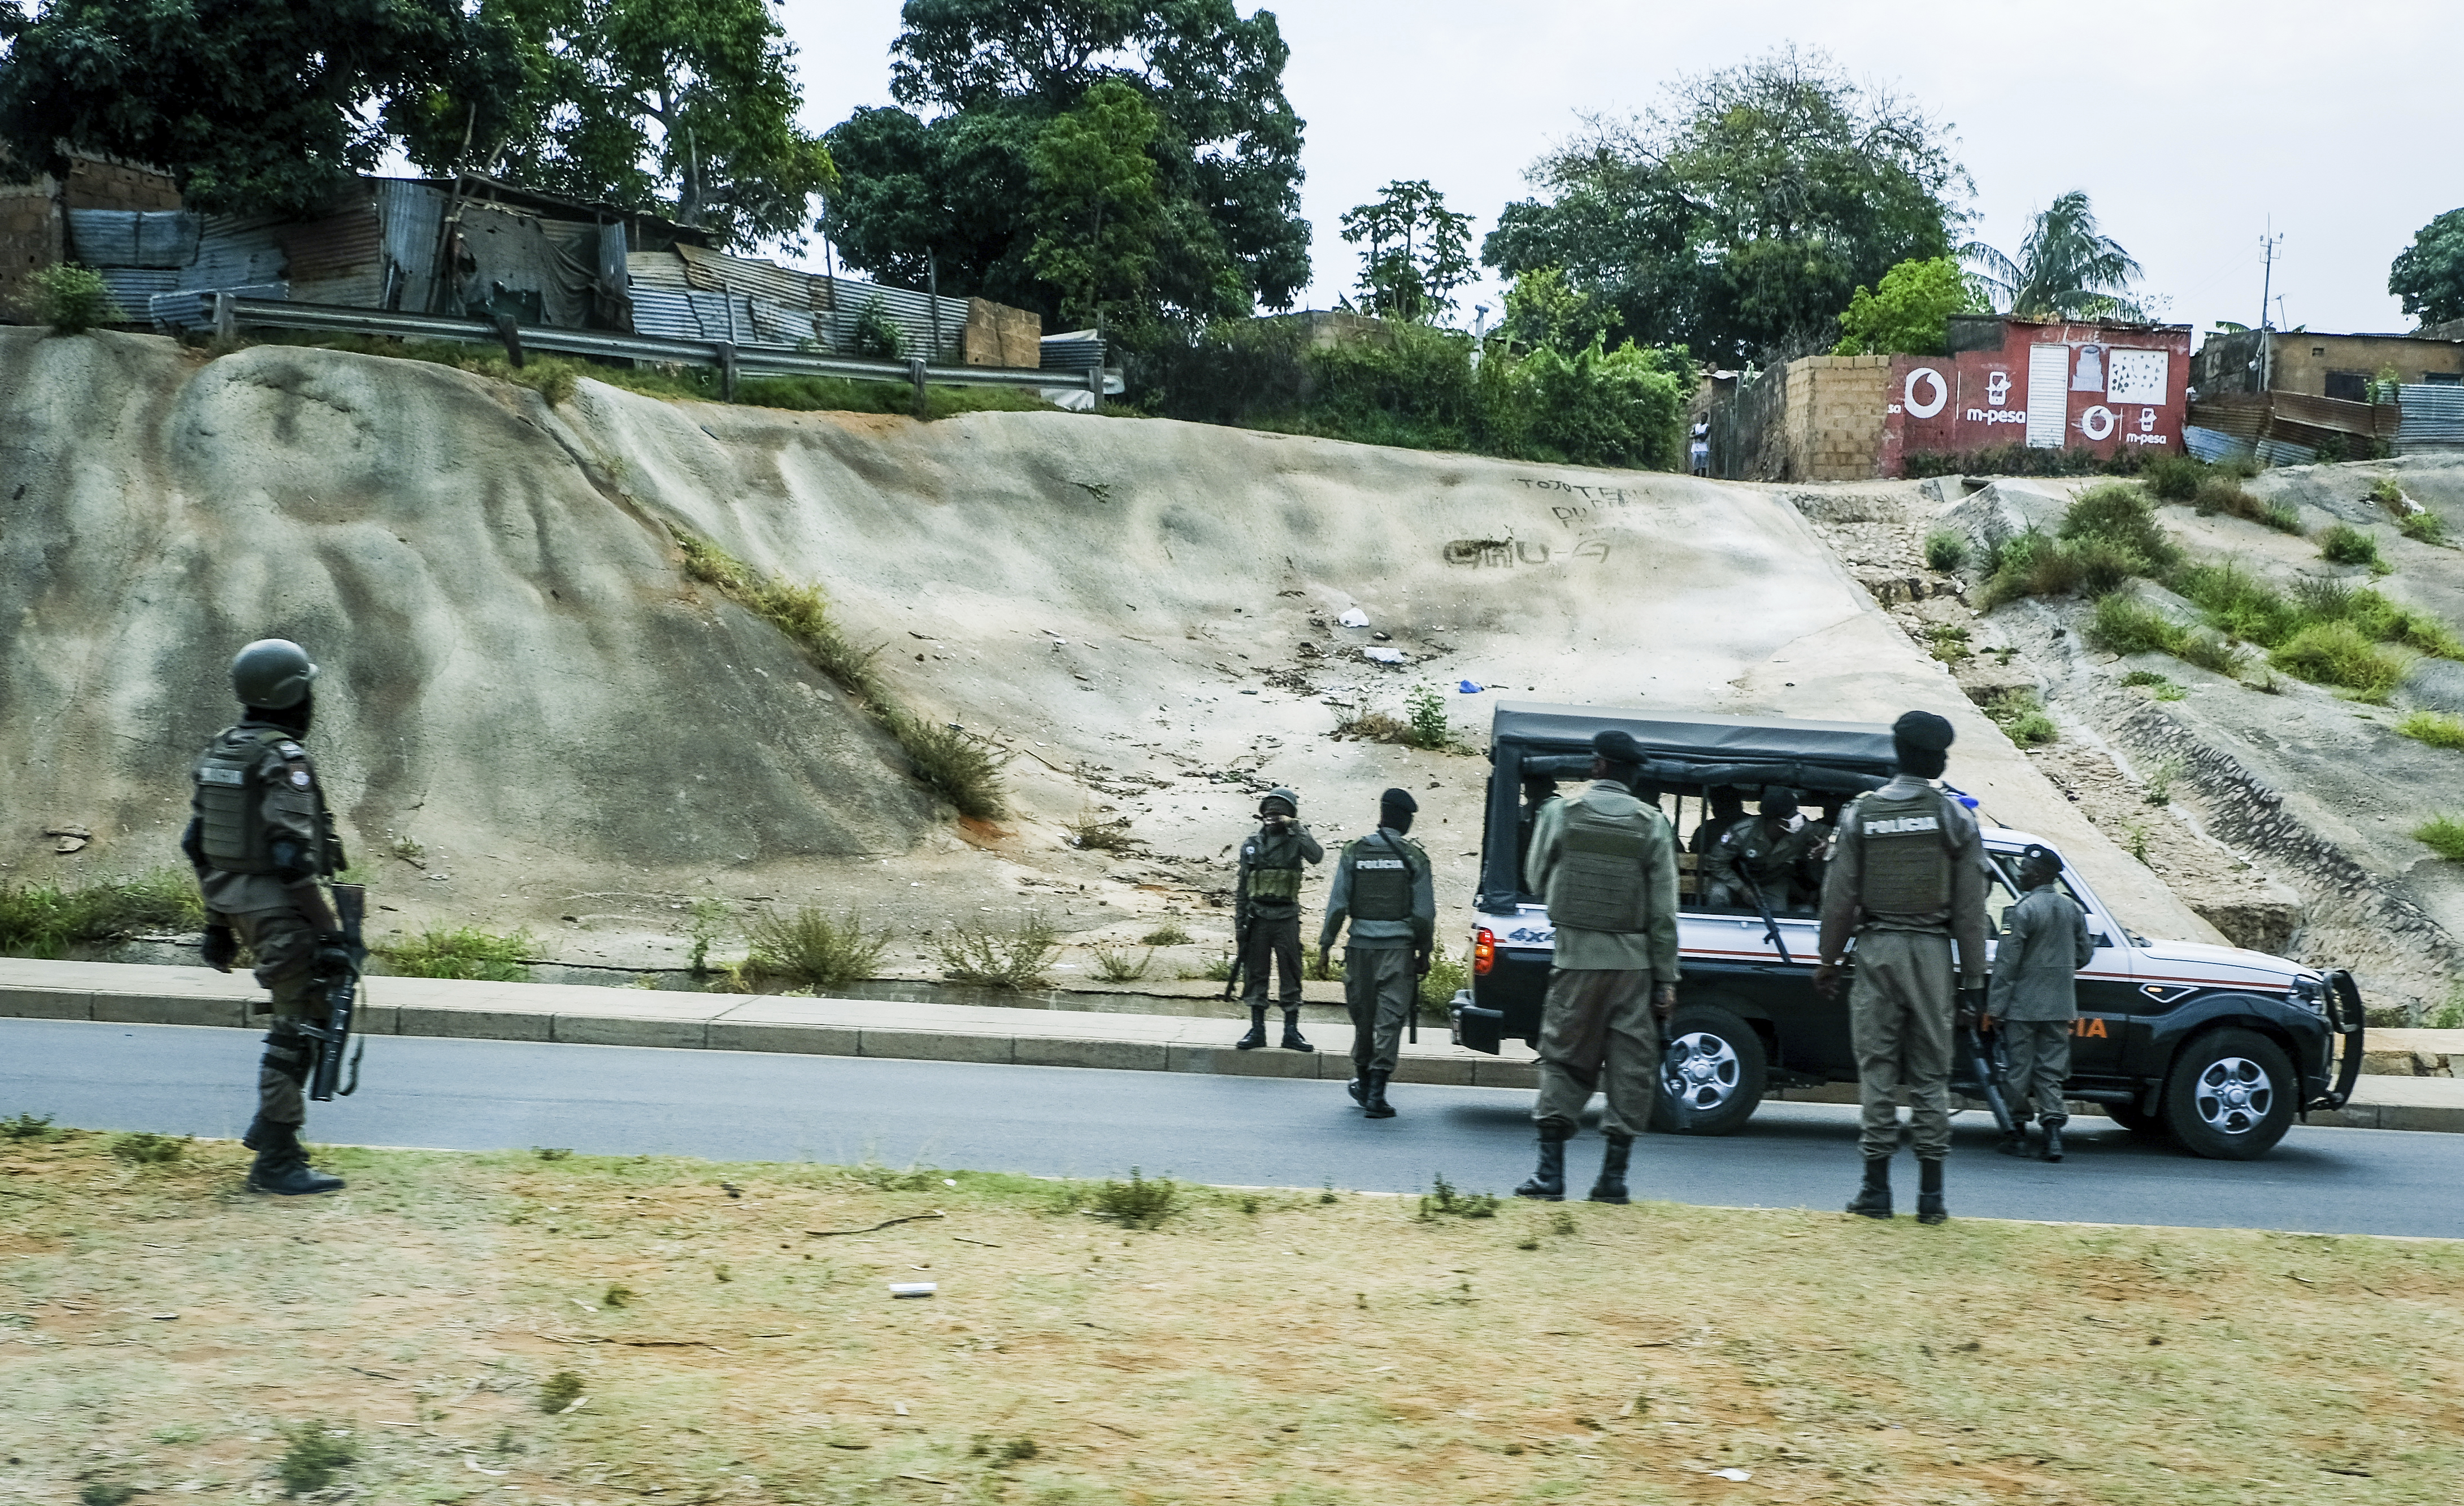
<point>2211,1044</point>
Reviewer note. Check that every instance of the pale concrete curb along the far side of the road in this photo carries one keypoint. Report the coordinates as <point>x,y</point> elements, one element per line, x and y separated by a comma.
<point>573,1014</point>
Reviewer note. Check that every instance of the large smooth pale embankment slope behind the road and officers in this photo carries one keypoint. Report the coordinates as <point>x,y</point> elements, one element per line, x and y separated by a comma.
<point>533,716</point>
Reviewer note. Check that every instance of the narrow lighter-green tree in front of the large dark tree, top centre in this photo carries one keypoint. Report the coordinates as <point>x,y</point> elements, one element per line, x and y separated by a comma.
<point>1095,201</point>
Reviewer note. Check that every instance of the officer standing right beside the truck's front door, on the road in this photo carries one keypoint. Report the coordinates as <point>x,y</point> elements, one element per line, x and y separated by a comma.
<point>2036,997</point>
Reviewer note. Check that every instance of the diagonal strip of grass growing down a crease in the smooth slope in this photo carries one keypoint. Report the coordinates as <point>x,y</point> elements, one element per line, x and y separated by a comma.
<point>957,768</point>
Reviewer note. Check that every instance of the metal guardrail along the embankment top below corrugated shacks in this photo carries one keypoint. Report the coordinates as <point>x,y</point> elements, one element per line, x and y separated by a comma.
<point>233,314</point>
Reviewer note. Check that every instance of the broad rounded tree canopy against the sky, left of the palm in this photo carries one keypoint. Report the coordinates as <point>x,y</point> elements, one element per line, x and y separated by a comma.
<point>1741,216</point>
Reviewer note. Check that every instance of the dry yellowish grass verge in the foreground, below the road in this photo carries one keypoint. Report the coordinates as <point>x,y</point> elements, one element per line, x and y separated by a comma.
<point>1581,1354</point>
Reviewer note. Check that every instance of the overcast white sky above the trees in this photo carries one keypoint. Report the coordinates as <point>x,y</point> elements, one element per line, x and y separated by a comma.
<point>2187,122</point>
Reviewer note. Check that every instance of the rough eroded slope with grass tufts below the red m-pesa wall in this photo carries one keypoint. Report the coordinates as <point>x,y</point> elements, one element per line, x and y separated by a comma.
<point>2278,810</point>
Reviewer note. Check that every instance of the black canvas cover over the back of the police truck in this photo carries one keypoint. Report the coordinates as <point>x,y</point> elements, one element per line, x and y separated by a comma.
<point>1682,755</point>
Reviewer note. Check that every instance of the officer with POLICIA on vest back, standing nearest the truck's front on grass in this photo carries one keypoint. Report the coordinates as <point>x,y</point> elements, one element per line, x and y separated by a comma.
<point>1908,879</point>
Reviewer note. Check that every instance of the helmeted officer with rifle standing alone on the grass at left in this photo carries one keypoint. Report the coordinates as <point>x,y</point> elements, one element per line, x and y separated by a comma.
<point>260,839</point>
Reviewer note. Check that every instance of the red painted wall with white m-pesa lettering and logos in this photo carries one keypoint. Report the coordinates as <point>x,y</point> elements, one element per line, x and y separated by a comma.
<point>2049,386</point>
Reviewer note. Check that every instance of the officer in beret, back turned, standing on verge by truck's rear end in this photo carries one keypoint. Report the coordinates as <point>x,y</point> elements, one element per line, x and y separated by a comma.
<point>1608,866</point>
